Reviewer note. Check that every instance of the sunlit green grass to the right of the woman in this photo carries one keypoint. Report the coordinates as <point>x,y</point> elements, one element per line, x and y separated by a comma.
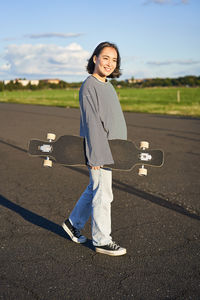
<point>161,100</point>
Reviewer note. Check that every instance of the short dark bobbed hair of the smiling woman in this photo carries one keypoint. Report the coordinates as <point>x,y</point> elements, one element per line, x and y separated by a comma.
<point>91,65</point>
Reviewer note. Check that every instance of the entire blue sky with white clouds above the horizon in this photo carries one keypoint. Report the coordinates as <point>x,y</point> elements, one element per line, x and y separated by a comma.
<point>55,38</point>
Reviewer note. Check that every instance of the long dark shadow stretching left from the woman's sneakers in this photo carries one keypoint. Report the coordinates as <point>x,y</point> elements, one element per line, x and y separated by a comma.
<point>39,220</point>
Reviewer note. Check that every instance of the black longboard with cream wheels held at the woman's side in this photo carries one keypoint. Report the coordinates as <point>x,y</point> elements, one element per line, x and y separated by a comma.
<point>69,150</point>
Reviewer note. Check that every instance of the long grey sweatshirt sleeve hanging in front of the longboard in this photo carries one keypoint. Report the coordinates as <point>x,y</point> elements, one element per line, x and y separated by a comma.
<point>96,143</point>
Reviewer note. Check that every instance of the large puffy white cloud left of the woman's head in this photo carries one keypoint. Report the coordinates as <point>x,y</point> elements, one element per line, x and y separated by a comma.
<point>44,60</point>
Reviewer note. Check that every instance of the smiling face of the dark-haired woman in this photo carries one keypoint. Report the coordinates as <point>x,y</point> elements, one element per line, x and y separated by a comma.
<point>105,63</point>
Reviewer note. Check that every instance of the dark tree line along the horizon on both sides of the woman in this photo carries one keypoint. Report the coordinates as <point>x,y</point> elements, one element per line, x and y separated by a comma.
<point>186,81</point>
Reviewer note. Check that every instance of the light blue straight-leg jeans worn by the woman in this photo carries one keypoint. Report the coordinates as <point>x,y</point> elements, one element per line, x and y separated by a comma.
<point>96,202</point>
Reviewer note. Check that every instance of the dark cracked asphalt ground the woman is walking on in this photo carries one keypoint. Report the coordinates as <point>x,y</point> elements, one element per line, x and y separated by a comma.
<point>156,218</point>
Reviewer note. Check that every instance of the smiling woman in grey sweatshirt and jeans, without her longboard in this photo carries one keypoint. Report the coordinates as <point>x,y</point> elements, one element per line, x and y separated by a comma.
<point>101,120</point>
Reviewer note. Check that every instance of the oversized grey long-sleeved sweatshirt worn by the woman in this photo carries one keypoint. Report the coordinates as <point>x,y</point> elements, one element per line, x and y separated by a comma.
<point>101,120</point>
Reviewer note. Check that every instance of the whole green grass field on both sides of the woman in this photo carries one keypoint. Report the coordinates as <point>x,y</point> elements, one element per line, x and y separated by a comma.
<point>149,100</point>
